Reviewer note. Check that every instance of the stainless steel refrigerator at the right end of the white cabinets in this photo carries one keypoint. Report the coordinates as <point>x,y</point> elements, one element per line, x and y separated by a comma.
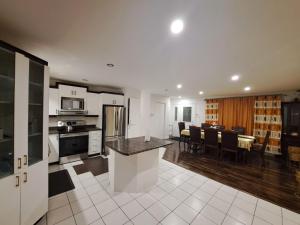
<point>113,126</point>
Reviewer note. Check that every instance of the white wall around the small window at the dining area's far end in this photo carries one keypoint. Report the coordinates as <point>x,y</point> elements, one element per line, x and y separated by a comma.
<point>198,112</point>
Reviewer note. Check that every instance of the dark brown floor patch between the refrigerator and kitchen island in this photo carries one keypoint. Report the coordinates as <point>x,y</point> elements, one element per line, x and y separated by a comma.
<point>97,166</point>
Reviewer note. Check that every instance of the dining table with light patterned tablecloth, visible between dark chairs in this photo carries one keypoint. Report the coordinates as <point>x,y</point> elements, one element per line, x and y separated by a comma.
<point>244,141</point>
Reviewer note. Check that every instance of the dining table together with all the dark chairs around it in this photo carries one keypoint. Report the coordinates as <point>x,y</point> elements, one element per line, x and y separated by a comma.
<point>218,141</point>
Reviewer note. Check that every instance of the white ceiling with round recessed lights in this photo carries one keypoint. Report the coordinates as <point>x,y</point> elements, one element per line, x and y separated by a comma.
<point>258,39</point>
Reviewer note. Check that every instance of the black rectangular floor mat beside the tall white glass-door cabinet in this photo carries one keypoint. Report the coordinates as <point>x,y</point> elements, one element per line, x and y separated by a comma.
<point>60,182</point>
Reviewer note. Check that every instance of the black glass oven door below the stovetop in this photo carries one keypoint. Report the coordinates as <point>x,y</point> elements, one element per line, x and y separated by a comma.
<point>73,144</point>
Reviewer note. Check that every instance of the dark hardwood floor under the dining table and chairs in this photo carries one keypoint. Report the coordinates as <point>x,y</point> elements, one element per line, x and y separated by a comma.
<point>275,183</point>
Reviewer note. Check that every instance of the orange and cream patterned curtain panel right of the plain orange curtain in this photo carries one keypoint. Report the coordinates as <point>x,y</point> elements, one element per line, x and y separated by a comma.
<point>267,116</point>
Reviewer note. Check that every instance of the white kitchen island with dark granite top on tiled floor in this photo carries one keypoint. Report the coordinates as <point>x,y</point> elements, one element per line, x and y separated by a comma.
<point>133,163</point>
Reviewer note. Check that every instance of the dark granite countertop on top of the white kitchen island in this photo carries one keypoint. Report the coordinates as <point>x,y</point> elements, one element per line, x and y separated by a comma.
<point>137,145</point>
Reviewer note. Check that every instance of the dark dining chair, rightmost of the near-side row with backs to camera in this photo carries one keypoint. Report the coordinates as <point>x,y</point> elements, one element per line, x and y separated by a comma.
<point>229,143</point>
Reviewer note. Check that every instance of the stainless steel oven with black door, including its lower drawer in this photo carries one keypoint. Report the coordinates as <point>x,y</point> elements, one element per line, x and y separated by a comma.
<point>73,146</point>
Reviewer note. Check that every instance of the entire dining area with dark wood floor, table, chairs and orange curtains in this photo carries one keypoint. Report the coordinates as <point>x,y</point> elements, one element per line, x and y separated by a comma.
<point>250,143</point>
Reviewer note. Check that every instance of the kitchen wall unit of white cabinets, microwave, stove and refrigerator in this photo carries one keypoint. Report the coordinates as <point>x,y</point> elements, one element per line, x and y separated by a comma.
<point>81,120</point>
